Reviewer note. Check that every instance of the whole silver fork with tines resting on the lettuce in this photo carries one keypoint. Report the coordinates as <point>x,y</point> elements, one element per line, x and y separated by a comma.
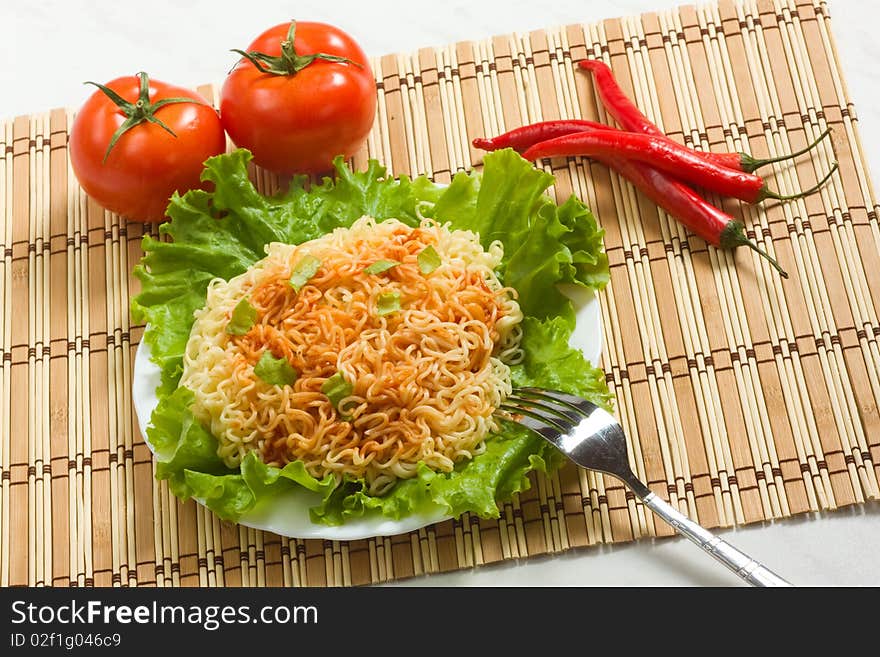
<point>594,439</point>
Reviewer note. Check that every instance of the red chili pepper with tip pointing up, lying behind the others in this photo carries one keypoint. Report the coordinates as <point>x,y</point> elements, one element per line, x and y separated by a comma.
<point>631,118</point>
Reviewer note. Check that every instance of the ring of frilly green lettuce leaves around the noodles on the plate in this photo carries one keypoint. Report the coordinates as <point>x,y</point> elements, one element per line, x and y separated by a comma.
<point>223,232</point>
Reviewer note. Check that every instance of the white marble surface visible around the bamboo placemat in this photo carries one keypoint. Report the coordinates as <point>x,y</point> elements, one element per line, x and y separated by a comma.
<point>50,46</point>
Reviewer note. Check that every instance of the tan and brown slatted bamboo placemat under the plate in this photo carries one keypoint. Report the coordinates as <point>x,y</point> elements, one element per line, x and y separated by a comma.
<point>746,397</point>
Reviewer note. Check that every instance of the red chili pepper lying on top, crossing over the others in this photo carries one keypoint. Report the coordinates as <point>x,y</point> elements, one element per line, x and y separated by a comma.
<point>666,155</point>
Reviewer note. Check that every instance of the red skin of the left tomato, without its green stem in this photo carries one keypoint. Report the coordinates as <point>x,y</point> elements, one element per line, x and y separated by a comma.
<point>147,164</point>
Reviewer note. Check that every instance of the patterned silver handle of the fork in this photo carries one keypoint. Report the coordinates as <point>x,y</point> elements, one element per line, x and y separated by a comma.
<point>740,563</point>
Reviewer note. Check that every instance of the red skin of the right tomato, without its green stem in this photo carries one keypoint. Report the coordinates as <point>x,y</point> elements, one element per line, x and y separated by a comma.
<point>298,123</point>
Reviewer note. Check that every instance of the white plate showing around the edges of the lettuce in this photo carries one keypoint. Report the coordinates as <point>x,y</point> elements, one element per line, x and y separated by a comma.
<point>287,514</point>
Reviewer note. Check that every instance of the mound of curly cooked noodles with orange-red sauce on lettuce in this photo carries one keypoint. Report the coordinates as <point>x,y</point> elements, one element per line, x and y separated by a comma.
<point>411,326</point>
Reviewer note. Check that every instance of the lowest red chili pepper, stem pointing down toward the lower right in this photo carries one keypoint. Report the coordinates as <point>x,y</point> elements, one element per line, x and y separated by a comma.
<point>715,226</point>
